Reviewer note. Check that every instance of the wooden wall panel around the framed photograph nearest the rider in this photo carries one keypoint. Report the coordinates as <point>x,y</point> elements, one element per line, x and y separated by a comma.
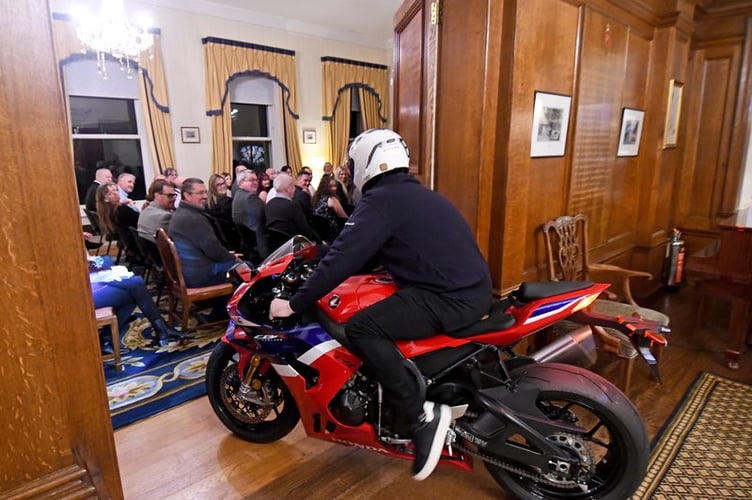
<point>536,187</point>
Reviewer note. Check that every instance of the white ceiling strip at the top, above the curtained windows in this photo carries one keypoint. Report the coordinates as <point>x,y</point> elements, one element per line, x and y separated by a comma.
<point>365,22</point>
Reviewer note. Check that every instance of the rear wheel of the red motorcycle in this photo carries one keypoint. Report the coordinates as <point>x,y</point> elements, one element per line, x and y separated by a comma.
<point>612,446</point>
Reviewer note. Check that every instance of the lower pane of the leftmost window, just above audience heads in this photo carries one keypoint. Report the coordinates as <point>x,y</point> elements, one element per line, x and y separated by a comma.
<point>120,155</point>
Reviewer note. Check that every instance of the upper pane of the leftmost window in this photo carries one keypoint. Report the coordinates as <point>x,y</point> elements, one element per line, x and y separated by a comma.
<point>99,115</point>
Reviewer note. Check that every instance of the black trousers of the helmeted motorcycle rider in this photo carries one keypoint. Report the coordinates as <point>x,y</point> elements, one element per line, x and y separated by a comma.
<point>409,314</point>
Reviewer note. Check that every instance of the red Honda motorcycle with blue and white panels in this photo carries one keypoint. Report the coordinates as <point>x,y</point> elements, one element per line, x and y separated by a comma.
<point>543,429</point>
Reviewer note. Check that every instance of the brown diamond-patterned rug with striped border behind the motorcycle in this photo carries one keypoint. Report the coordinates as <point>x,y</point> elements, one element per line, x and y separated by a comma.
<point>705,449</point>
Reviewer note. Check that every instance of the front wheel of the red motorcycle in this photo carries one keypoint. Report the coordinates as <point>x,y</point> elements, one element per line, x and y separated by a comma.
<point>263,413</point>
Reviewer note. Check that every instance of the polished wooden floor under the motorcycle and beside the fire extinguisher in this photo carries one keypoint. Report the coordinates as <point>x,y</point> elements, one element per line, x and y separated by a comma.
<point>187,453</point>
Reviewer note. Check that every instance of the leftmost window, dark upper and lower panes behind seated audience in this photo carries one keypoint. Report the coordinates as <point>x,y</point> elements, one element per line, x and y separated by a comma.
<point>105,134</point>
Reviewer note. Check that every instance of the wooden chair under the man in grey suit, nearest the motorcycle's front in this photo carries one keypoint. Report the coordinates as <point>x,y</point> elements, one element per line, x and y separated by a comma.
<point>178,292</point>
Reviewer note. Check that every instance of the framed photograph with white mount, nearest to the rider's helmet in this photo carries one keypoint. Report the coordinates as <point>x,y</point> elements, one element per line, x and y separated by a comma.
<point>550,124</point>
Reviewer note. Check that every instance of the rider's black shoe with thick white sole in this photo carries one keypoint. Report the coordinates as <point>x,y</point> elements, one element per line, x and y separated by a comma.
<point>429,437</point>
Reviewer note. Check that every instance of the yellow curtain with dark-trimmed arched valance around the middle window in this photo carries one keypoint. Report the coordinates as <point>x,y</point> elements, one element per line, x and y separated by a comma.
<point>227,59</point>
